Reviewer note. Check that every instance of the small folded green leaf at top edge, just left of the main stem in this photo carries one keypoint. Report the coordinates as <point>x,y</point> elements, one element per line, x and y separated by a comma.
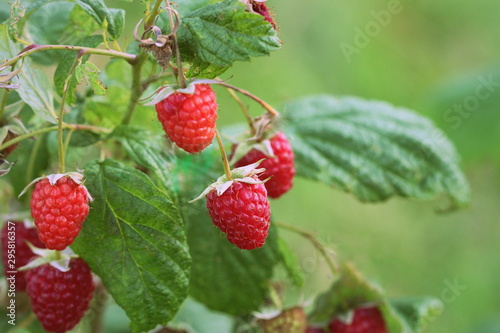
<point>98,11</point>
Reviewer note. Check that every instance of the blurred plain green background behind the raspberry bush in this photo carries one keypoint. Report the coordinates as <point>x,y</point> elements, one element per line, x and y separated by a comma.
<point>430,56</point>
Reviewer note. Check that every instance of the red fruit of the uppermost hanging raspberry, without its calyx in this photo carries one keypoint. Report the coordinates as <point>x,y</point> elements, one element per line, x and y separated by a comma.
<point>189,119</point>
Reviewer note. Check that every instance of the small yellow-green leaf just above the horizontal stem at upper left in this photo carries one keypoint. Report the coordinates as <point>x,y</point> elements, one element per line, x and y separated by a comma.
<point>79,26</point>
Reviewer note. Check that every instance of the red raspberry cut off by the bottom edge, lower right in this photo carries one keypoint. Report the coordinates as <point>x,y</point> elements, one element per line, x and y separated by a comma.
<point>365,320</point>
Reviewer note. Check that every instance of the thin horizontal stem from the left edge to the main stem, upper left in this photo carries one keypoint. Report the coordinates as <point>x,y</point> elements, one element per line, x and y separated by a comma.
<point>33,48</point>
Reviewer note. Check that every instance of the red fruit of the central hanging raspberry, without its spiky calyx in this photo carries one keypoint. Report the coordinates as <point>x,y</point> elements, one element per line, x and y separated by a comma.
<point>242,212</point>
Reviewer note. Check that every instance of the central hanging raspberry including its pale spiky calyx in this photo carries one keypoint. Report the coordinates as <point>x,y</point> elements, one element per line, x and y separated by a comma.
<point>239,207</point>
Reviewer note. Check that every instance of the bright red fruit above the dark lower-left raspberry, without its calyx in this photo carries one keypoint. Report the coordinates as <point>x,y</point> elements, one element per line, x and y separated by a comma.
<point>59,211</point>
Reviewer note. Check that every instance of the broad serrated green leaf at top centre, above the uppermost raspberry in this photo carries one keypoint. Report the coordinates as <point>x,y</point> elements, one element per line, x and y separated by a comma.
<point>222,33</point>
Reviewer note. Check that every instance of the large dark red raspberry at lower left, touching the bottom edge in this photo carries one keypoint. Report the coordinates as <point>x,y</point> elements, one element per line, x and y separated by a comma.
<point>60,299</point>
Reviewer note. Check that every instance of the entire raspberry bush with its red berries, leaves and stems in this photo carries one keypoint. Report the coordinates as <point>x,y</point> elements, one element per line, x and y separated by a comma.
<point>110,184</point>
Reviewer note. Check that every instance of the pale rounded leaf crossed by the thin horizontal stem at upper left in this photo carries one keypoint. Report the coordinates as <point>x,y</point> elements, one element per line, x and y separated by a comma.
<point>45,26</point>
